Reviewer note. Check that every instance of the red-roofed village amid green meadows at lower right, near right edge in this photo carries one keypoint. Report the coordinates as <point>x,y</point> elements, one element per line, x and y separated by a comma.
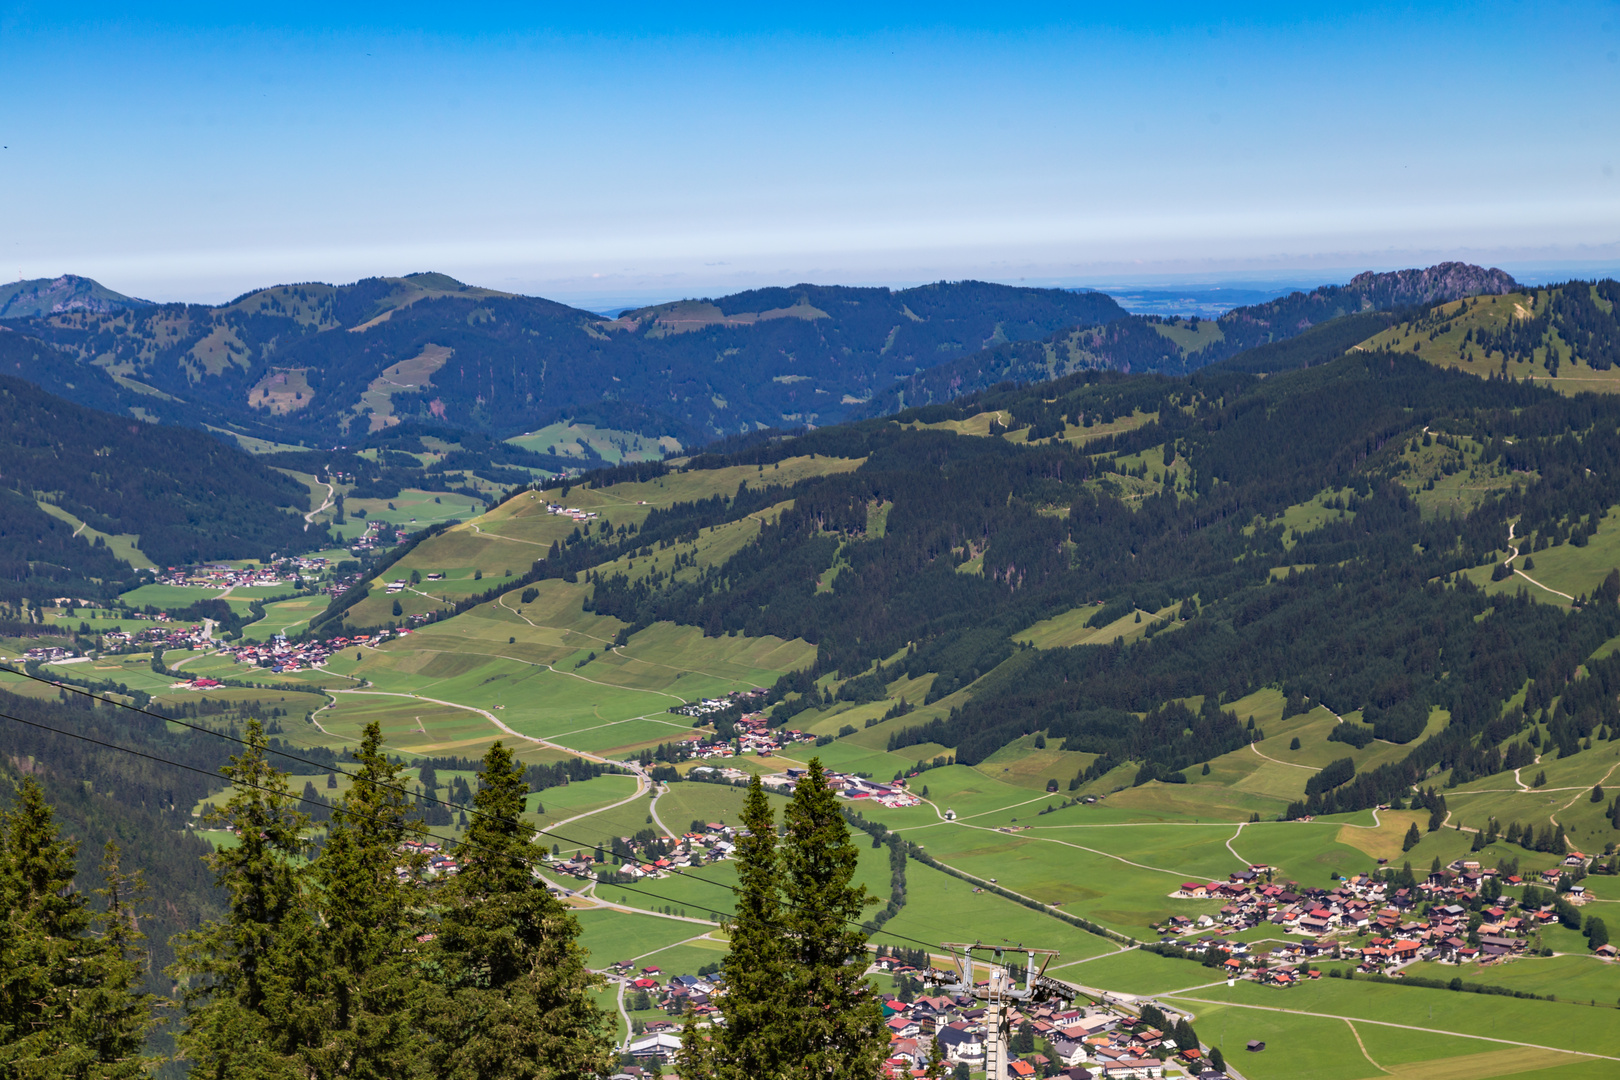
<point>1388,914</point>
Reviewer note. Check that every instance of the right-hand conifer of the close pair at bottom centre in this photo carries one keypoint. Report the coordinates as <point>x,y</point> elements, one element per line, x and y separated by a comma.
<point>833,1024</point>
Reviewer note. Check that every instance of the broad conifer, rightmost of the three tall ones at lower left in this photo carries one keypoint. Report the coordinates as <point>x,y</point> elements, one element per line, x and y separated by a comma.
<point>514,997</point>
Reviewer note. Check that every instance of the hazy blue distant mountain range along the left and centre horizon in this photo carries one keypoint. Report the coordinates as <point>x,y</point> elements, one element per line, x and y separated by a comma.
<point>320,365</point>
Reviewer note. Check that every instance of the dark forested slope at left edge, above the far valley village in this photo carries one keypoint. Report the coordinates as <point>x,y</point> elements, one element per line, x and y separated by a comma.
<point>182,493</point>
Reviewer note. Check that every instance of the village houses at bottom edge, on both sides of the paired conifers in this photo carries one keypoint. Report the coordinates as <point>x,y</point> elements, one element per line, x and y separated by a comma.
<point>1096,1042</point>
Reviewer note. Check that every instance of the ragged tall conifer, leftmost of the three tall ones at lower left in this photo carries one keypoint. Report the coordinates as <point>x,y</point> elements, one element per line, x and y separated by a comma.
<point>226,966</point>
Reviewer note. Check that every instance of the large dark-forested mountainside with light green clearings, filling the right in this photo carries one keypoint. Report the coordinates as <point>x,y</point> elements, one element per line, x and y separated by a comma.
<point>1326,532</point>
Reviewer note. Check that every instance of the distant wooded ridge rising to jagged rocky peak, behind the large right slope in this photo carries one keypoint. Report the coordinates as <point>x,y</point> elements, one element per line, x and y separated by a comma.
<point>1153,344</point>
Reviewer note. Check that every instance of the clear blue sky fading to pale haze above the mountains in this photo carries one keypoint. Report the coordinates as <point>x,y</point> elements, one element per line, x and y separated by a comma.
<point>634,153</point>
